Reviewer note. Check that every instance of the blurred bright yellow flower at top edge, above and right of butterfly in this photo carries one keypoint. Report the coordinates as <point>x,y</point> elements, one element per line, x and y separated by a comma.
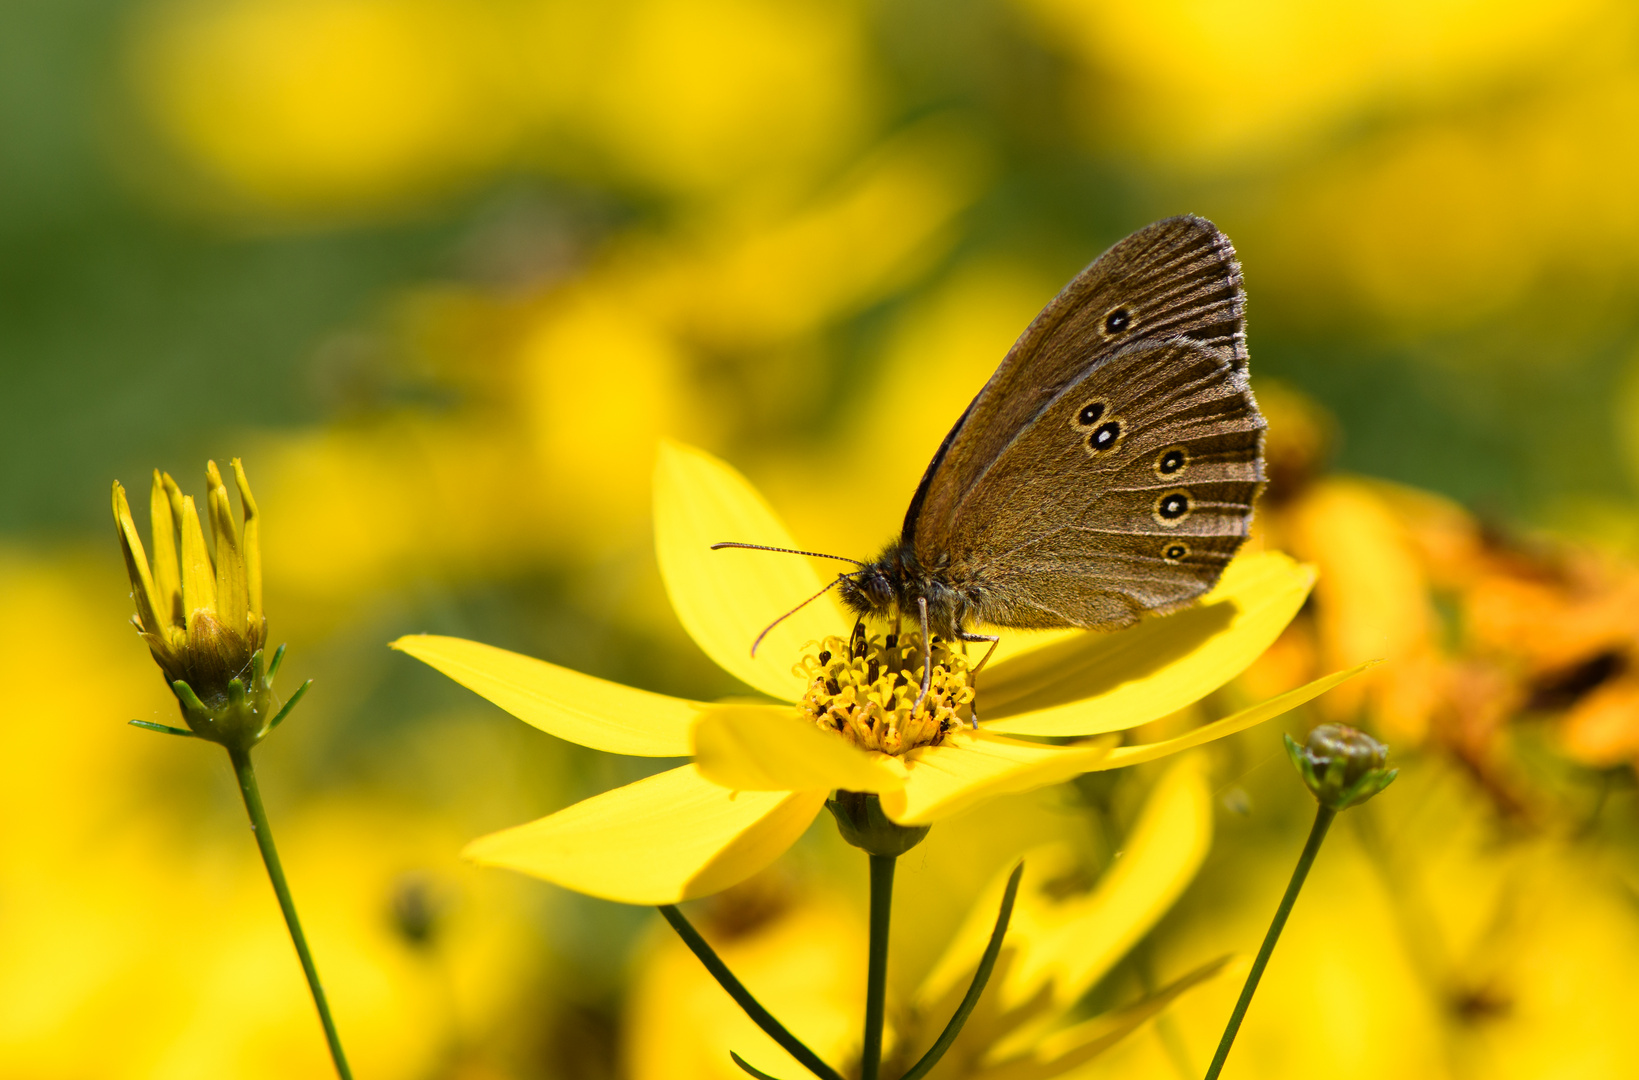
<point>1297,68</point>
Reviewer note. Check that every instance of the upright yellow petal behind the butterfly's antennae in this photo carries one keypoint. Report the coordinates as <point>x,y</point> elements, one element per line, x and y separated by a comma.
<point>725,599</point>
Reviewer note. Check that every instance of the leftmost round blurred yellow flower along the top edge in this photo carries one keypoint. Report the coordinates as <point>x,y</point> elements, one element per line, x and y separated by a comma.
<point>319,106</point>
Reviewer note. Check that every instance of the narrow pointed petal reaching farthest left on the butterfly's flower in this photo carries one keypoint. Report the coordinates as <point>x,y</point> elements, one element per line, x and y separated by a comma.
<point>563,702</point>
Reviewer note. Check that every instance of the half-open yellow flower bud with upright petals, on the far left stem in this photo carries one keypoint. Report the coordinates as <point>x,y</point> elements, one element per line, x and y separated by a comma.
<point>202,617</point>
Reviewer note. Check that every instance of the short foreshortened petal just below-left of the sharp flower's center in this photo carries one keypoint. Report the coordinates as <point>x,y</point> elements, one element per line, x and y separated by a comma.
<point>768,748</point>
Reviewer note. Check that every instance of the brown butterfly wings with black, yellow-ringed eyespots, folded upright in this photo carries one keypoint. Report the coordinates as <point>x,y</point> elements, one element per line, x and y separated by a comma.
<point>1045,520</point>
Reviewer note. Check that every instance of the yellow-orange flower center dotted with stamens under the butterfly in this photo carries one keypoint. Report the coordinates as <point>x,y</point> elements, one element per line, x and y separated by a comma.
<point>866,689</point>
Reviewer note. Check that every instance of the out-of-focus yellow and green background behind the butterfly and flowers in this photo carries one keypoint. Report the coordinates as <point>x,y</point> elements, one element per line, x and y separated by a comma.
<point>801,235</point>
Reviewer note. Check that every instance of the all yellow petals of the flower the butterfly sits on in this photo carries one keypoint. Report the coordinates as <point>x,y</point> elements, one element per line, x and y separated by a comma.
<point>761,773</point>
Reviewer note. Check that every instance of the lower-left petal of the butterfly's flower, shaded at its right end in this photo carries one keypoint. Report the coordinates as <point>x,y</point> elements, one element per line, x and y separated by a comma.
<point>665,840</point>
